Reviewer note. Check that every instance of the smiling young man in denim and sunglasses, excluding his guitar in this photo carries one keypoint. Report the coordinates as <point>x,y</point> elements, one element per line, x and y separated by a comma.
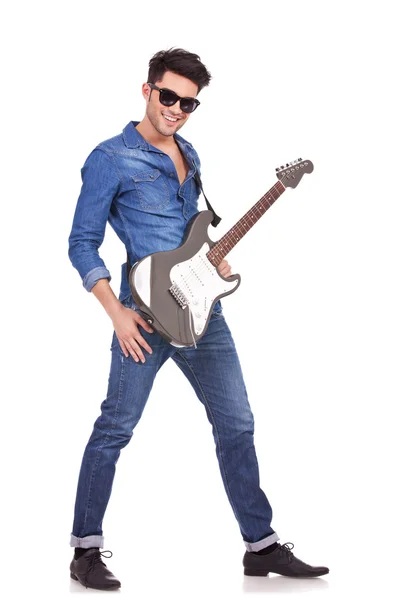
<point>143,183</point>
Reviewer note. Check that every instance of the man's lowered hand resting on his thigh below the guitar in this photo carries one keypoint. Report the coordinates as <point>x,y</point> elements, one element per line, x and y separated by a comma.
<point>126,322</point>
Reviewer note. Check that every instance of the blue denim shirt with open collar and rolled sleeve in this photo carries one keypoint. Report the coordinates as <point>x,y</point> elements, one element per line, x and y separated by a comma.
<point>135,187</point>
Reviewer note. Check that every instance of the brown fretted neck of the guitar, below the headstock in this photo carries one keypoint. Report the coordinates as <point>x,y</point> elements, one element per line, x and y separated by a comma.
<point>231,238</point>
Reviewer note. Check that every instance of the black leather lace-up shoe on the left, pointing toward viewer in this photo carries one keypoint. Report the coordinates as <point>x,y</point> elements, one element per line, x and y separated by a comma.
<point>91,572</point>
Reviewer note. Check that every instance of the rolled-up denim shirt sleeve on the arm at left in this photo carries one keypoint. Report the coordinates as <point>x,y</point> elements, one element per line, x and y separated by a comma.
<point>100,185</point>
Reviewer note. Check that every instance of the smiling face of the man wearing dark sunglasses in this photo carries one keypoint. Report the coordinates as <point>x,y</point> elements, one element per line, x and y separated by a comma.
<point>167,120</point>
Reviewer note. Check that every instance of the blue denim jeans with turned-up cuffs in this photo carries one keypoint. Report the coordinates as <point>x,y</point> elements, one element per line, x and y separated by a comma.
<point>214,371</point>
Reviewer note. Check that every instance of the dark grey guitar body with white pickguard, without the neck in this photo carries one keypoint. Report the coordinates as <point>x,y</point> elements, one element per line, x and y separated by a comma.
<point>178,289</point>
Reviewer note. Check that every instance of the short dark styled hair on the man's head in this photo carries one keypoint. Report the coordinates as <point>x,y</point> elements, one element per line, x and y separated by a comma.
<point>181,62</point>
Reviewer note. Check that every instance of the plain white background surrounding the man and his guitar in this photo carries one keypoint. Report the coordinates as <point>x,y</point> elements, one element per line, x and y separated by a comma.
<point>315,320</point>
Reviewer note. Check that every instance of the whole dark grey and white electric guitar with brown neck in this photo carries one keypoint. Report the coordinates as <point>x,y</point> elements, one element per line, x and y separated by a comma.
<point>177,289</point>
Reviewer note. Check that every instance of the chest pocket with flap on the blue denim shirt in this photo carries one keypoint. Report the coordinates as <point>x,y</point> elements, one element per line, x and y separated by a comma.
<point>151,189</point>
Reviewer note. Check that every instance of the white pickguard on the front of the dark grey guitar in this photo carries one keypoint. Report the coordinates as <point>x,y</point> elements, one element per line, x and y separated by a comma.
<point>201,284</point>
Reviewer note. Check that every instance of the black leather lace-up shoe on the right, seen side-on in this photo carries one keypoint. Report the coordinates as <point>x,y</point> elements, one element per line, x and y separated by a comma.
<point>281,561</point>
